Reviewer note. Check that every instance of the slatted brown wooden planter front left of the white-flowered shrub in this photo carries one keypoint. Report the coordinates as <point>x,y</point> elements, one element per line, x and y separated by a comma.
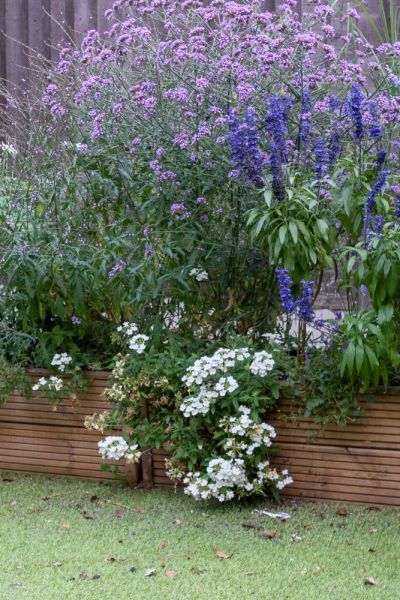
<point>38,437</point>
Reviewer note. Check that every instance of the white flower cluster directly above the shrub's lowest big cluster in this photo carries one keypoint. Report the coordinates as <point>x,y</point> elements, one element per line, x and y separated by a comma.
<point>245,434</point>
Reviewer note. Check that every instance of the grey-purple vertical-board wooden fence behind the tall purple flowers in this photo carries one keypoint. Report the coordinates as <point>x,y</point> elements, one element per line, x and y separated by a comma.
<point>35,25</point>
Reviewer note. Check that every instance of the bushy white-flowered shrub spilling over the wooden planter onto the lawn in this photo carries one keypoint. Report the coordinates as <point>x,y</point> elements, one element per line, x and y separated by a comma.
<point>208,411</point>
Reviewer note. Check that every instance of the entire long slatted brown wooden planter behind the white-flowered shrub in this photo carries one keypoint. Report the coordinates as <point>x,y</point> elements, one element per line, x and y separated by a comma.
<point>357,463</point>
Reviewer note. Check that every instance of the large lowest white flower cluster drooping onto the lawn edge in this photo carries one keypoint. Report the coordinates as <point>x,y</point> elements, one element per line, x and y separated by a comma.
<point>223,476</point>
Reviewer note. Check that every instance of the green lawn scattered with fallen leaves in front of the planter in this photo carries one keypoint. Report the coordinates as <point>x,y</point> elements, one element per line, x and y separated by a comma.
<point>60,539</point>
